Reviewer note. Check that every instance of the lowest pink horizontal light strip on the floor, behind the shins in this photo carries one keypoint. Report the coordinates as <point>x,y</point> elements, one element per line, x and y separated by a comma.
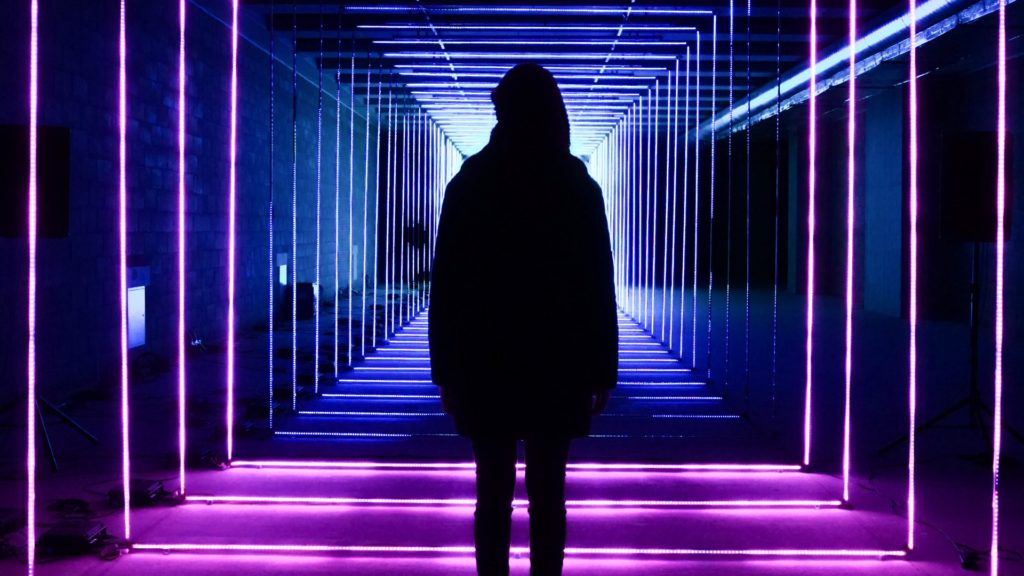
<point>880,554</point>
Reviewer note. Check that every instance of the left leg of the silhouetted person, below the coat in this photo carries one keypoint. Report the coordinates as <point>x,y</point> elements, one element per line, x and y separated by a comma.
<point>495,487</point>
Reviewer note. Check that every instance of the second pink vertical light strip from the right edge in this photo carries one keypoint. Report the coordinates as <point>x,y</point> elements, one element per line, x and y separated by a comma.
<point>913,457</point>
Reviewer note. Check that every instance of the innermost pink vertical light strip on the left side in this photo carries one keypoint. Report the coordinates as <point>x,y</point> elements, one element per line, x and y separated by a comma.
<point>233,204</point>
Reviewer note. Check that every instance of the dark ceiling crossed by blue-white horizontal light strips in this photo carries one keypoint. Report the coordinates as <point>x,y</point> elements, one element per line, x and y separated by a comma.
<point>608,55</point>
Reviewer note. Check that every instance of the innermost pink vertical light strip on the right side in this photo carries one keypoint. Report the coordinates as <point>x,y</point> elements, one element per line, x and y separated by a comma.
<point>812,135</point>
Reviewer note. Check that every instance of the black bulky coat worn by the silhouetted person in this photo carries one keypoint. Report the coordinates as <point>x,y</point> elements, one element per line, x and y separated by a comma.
<point>524,327</point>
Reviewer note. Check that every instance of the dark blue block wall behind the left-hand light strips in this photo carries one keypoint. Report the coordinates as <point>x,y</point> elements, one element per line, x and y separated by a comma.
<point>78,297</point>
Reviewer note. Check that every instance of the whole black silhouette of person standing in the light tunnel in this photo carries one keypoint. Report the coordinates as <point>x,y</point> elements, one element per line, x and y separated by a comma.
<point>524,333</point>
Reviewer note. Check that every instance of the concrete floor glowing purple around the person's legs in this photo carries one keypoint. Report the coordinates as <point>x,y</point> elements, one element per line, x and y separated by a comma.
<point>954,487</point>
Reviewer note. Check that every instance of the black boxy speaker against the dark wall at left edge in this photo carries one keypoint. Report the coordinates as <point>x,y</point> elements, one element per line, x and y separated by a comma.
<point>54,183</point>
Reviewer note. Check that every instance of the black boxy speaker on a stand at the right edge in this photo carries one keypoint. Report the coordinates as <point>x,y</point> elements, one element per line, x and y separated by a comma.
<point>969,173</point>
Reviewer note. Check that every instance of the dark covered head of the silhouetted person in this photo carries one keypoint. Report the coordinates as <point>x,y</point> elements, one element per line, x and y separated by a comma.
<point>530,107</point>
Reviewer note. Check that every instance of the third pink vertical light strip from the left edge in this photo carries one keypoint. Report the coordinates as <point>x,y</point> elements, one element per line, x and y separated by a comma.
<point>182,248</point>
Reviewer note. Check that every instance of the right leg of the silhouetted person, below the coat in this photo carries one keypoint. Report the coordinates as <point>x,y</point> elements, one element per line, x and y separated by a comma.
<point>546,486</point>
